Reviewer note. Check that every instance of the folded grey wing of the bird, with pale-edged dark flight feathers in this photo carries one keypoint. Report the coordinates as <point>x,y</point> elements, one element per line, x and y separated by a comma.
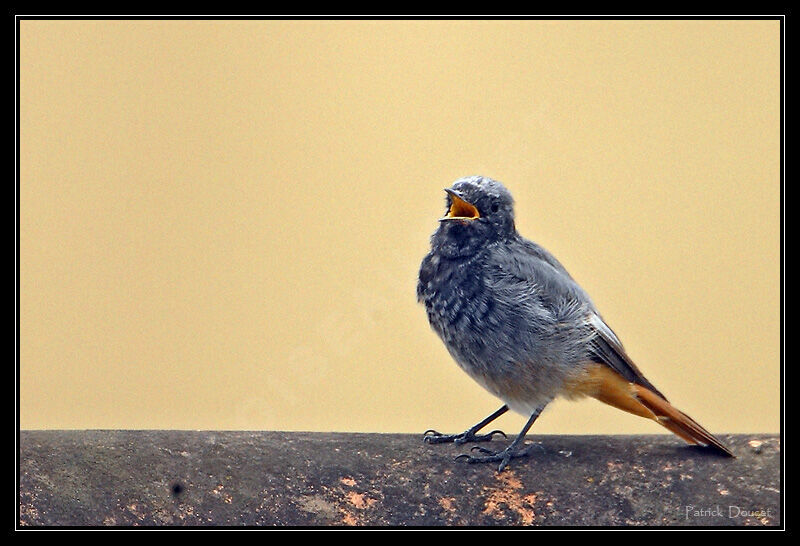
<point>532,265</point>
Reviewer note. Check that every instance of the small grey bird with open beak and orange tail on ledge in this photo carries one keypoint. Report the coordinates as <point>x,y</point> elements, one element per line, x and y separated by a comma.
<point>516,322</point>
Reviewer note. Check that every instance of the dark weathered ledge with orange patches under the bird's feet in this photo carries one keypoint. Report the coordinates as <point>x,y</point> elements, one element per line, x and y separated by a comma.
<point>173,478</point>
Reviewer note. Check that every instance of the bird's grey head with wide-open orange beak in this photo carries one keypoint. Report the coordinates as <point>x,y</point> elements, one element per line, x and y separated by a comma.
<point>479,211</point>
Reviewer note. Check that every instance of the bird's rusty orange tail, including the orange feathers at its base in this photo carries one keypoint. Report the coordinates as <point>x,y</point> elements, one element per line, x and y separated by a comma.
<point>606,385</point>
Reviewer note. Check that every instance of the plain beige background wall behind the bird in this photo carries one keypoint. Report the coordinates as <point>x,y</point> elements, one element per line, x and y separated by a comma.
<point>221,222</point>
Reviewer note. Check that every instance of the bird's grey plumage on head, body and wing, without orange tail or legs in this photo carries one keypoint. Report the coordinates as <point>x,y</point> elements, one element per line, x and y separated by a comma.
<point>508,312</point>
